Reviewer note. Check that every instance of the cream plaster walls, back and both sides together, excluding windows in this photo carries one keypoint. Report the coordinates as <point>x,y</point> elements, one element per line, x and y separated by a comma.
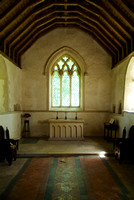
<point>28,88</point>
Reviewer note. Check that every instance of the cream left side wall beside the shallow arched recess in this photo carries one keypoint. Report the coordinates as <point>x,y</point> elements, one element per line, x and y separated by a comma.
<point>9,117</point>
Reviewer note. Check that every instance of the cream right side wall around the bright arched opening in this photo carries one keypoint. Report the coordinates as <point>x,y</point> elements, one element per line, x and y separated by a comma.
<point>124,119</point>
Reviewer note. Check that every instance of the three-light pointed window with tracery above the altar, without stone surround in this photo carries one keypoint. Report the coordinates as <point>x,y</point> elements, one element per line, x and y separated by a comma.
<point>65,83</point>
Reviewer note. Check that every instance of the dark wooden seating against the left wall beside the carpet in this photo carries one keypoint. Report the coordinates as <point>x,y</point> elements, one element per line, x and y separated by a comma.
<point>8,148</point>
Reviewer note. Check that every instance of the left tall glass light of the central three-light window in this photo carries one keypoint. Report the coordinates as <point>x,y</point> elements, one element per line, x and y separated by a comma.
<point>56,89</point>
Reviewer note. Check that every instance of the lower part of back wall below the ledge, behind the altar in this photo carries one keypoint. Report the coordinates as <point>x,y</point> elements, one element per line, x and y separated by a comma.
<point>93,125</point>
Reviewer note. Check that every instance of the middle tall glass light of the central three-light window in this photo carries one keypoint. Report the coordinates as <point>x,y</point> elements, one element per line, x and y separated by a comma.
<point>65,89</point>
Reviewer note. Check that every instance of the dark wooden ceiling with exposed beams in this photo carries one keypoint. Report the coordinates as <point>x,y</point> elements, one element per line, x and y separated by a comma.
<point>110,22</point>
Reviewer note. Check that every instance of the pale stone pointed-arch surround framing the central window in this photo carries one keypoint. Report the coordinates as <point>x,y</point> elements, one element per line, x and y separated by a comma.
<point>51,62</point>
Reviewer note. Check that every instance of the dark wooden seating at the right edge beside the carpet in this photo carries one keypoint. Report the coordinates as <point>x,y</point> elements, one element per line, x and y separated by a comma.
<point>124,147</point>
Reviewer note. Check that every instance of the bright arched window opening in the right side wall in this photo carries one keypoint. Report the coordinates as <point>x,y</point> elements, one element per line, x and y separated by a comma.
<point>129,87</point>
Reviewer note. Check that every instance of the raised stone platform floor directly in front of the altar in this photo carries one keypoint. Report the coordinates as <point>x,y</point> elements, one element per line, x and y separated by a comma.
<point>90,145</point>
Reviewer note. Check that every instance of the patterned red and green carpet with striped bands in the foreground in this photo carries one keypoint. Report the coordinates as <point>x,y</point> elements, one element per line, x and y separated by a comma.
<point>66,178</point>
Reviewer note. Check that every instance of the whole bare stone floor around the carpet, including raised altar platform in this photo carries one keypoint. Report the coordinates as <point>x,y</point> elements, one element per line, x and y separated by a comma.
<point>29,147</point>
